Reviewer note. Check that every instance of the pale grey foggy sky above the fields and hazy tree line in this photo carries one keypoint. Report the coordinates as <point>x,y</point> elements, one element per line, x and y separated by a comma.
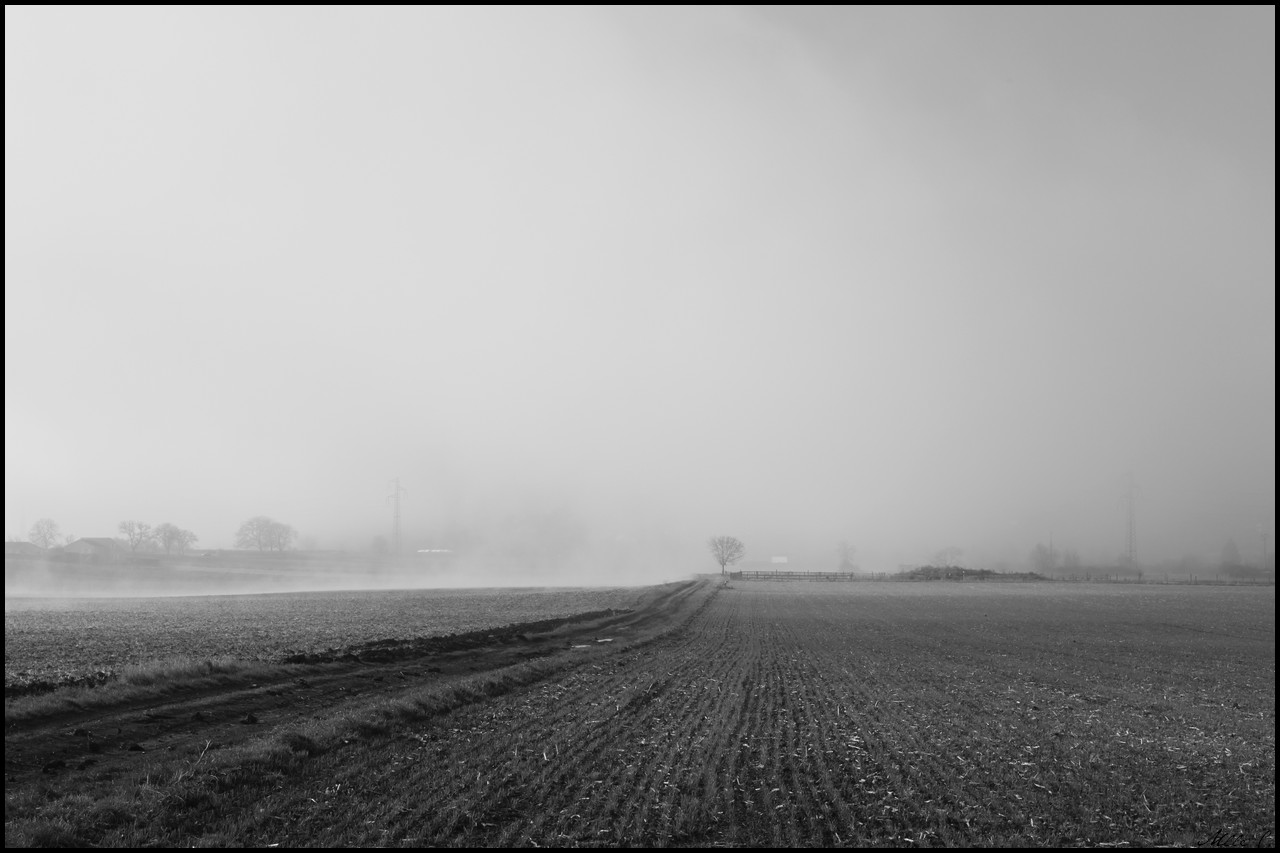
<point>909,279</point>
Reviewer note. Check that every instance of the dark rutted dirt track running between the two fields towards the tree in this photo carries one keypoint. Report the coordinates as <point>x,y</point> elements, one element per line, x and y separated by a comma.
<point>106,740</point>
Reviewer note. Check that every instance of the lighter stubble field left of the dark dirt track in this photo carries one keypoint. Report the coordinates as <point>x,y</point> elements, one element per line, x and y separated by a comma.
<point>52,641</point>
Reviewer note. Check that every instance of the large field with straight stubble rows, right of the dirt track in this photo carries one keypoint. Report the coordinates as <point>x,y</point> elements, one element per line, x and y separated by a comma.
<point>797,715</point>
